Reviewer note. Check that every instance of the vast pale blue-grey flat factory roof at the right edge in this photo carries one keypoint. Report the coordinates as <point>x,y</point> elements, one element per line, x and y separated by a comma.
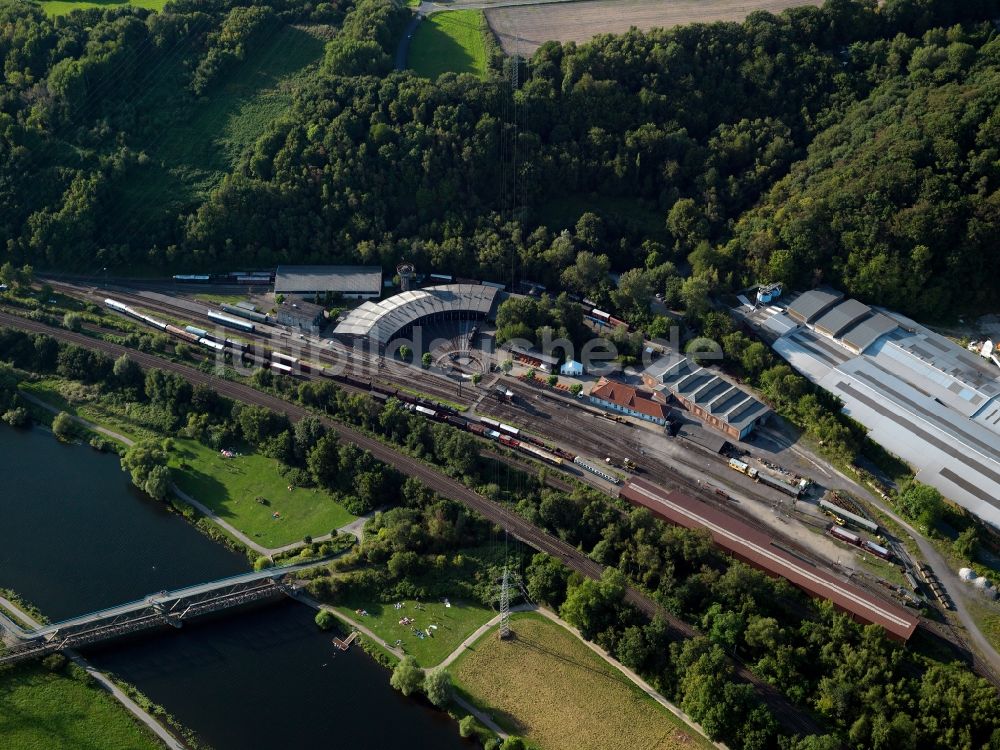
<point>921,395</point>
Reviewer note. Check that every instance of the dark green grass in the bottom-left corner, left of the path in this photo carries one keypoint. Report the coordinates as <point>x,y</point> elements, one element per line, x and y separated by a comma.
<point>40,710</point>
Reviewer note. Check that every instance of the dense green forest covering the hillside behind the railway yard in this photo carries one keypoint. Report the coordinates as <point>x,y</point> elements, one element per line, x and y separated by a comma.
<point>853,144</point>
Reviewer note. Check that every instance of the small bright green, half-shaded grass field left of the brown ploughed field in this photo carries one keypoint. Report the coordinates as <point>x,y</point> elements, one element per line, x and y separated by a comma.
<point>449,42</point>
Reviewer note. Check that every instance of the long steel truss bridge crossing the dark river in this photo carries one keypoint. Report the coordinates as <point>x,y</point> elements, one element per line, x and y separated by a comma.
<point>155,610</point>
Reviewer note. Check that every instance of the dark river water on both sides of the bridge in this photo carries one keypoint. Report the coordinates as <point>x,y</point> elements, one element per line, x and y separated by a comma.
<point>75,536</point>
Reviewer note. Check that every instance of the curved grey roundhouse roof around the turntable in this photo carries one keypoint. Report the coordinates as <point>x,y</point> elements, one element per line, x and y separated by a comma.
<point>380,321</point>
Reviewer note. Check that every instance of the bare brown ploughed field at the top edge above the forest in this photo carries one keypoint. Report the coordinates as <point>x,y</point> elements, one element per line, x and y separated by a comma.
<point>523,29</point>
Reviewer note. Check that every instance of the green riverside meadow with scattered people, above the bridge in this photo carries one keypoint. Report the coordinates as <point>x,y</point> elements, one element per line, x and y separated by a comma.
<point>230,486</point>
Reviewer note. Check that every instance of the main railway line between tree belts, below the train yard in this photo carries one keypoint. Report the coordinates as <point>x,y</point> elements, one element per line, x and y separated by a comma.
<point>792,718</point>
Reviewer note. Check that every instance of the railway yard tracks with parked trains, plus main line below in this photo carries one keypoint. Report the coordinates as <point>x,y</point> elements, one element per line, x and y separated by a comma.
<point>540,426</point>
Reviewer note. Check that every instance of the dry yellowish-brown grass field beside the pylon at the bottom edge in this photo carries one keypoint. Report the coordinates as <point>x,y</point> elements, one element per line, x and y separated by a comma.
<point>549,687</point>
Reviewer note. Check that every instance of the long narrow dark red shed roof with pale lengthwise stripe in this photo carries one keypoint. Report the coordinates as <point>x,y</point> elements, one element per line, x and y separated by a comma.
<point>755,548</point>
